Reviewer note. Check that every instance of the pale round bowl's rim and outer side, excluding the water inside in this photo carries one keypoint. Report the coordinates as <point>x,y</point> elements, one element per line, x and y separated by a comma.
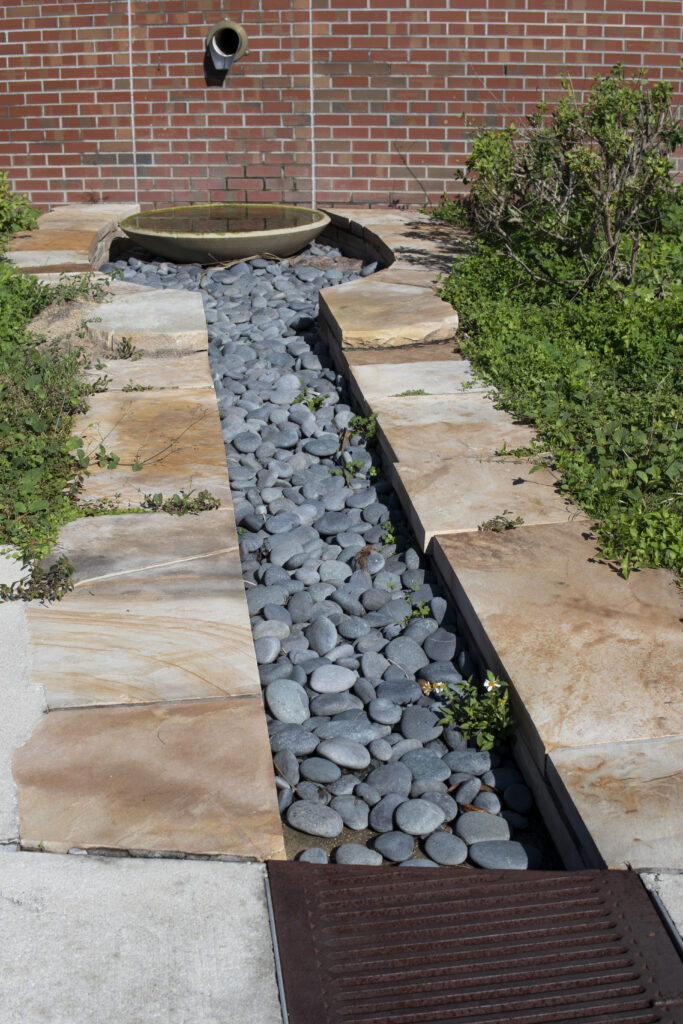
<point>195,245</point>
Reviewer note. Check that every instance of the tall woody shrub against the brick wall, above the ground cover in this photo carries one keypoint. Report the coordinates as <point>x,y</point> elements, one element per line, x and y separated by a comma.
<point>571,195</point>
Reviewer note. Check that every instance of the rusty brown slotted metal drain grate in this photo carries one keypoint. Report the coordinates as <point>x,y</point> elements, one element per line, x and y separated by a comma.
<point>396,947</point>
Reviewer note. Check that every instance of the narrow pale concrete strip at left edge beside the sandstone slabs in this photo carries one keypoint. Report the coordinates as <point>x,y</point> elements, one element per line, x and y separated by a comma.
<point>23,703</point>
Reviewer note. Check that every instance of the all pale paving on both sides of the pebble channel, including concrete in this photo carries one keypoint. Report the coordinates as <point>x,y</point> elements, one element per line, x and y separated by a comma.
<point>135,713</point>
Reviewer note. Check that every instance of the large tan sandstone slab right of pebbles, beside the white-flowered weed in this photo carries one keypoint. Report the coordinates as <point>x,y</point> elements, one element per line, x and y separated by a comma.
<point>593,658</point>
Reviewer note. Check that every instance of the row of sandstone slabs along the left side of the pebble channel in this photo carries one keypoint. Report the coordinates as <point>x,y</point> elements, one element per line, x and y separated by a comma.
<point>140,690</point>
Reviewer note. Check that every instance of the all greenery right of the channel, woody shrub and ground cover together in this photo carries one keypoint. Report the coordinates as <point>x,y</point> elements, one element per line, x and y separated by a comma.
<point>571,304</point>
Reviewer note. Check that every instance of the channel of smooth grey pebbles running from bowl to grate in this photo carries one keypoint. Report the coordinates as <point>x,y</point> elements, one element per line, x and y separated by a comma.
<point>350,625</point>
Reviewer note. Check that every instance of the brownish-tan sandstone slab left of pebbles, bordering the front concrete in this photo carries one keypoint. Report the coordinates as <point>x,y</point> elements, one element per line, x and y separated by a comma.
<point>194,778</point>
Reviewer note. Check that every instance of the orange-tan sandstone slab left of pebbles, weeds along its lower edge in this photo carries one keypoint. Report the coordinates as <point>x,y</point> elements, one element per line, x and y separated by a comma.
<point>175,436</point>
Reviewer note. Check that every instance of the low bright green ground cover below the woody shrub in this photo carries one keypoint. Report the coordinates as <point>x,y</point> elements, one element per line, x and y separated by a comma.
<point>602,378</point>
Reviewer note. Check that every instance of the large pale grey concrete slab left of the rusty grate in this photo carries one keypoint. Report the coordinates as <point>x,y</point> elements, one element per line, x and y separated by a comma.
<point>97,941</point>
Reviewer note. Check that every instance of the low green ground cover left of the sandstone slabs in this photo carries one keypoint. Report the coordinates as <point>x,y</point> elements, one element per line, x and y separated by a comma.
<point>42,387</point>
